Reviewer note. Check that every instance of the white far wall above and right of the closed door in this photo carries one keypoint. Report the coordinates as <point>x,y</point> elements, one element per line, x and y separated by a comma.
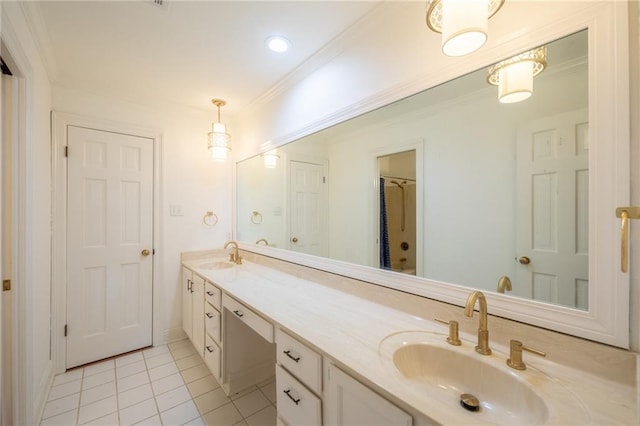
<point>189,179</point>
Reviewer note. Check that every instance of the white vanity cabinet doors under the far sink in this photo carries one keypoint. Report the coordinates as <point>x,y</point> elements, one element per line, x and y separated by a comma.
<point>193,308</point>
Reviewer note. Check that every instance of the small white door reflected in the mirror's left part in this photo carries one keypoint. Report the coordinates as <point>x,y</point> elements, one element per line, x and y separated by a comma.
<point>307,204</point>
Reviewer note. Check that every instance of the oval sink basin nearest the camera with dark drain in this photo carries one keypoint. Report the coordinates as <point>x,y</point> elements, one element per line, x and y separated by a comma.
<point>437,371</point>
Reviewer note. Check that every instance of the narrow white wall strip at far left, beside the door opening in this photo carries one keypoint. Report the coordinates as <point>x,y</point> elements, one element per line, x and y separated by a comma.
<point>34,203</point>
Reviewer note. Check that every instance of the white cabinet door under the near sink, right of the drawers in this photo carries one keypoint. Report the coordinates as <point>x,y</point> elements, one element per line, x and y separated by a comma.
<point>349,402</point>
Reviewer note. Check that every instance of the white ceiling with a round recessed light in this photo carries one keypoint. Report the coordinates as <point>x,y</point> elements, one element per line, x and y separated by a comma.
<point>185,52</point>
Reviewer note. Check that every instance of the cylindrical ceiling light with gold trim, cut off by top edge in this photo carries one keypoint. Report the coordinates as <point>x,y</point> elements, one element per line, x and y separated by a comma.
<point>463,23</point>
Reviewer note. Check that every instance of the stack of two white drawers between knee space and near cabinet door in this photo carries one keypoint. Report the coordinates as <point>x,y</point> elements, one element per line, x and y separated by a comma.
<point>298,382</point>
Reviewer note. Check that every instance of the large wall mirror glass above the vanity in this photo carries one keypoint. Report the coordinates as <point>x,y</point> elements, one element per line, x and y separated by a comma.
<point>449,186</point>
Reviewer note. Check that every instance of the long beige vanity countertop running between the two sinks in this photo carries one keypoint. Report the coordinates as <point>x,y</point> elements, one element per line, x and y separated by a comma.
<point>352,330</point>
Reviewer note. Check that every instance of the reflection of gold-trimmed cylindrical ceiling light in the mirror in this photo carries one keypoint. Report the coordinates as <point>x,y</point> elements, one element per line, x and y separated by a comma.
<point>514,76</point>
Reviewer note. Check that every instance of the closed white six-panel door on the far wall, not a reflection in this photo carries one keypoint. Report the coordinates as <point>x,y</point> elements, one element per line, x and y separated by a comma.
<point>109,244</point>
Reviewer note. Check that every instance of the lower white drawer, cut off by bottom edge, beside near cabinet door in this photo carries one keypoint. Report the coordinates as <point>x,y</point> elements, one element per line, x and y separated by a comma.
<point>297,405</point>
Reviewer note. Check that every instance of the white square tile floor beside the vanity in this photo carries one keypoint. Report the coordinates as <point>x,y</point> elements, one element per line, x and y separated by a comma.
<point>163,385</point>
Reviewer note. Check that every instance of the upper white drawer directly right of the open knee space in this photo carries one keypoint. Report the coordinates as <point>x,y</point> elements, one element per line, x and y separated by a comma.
<point>299,360</point>
